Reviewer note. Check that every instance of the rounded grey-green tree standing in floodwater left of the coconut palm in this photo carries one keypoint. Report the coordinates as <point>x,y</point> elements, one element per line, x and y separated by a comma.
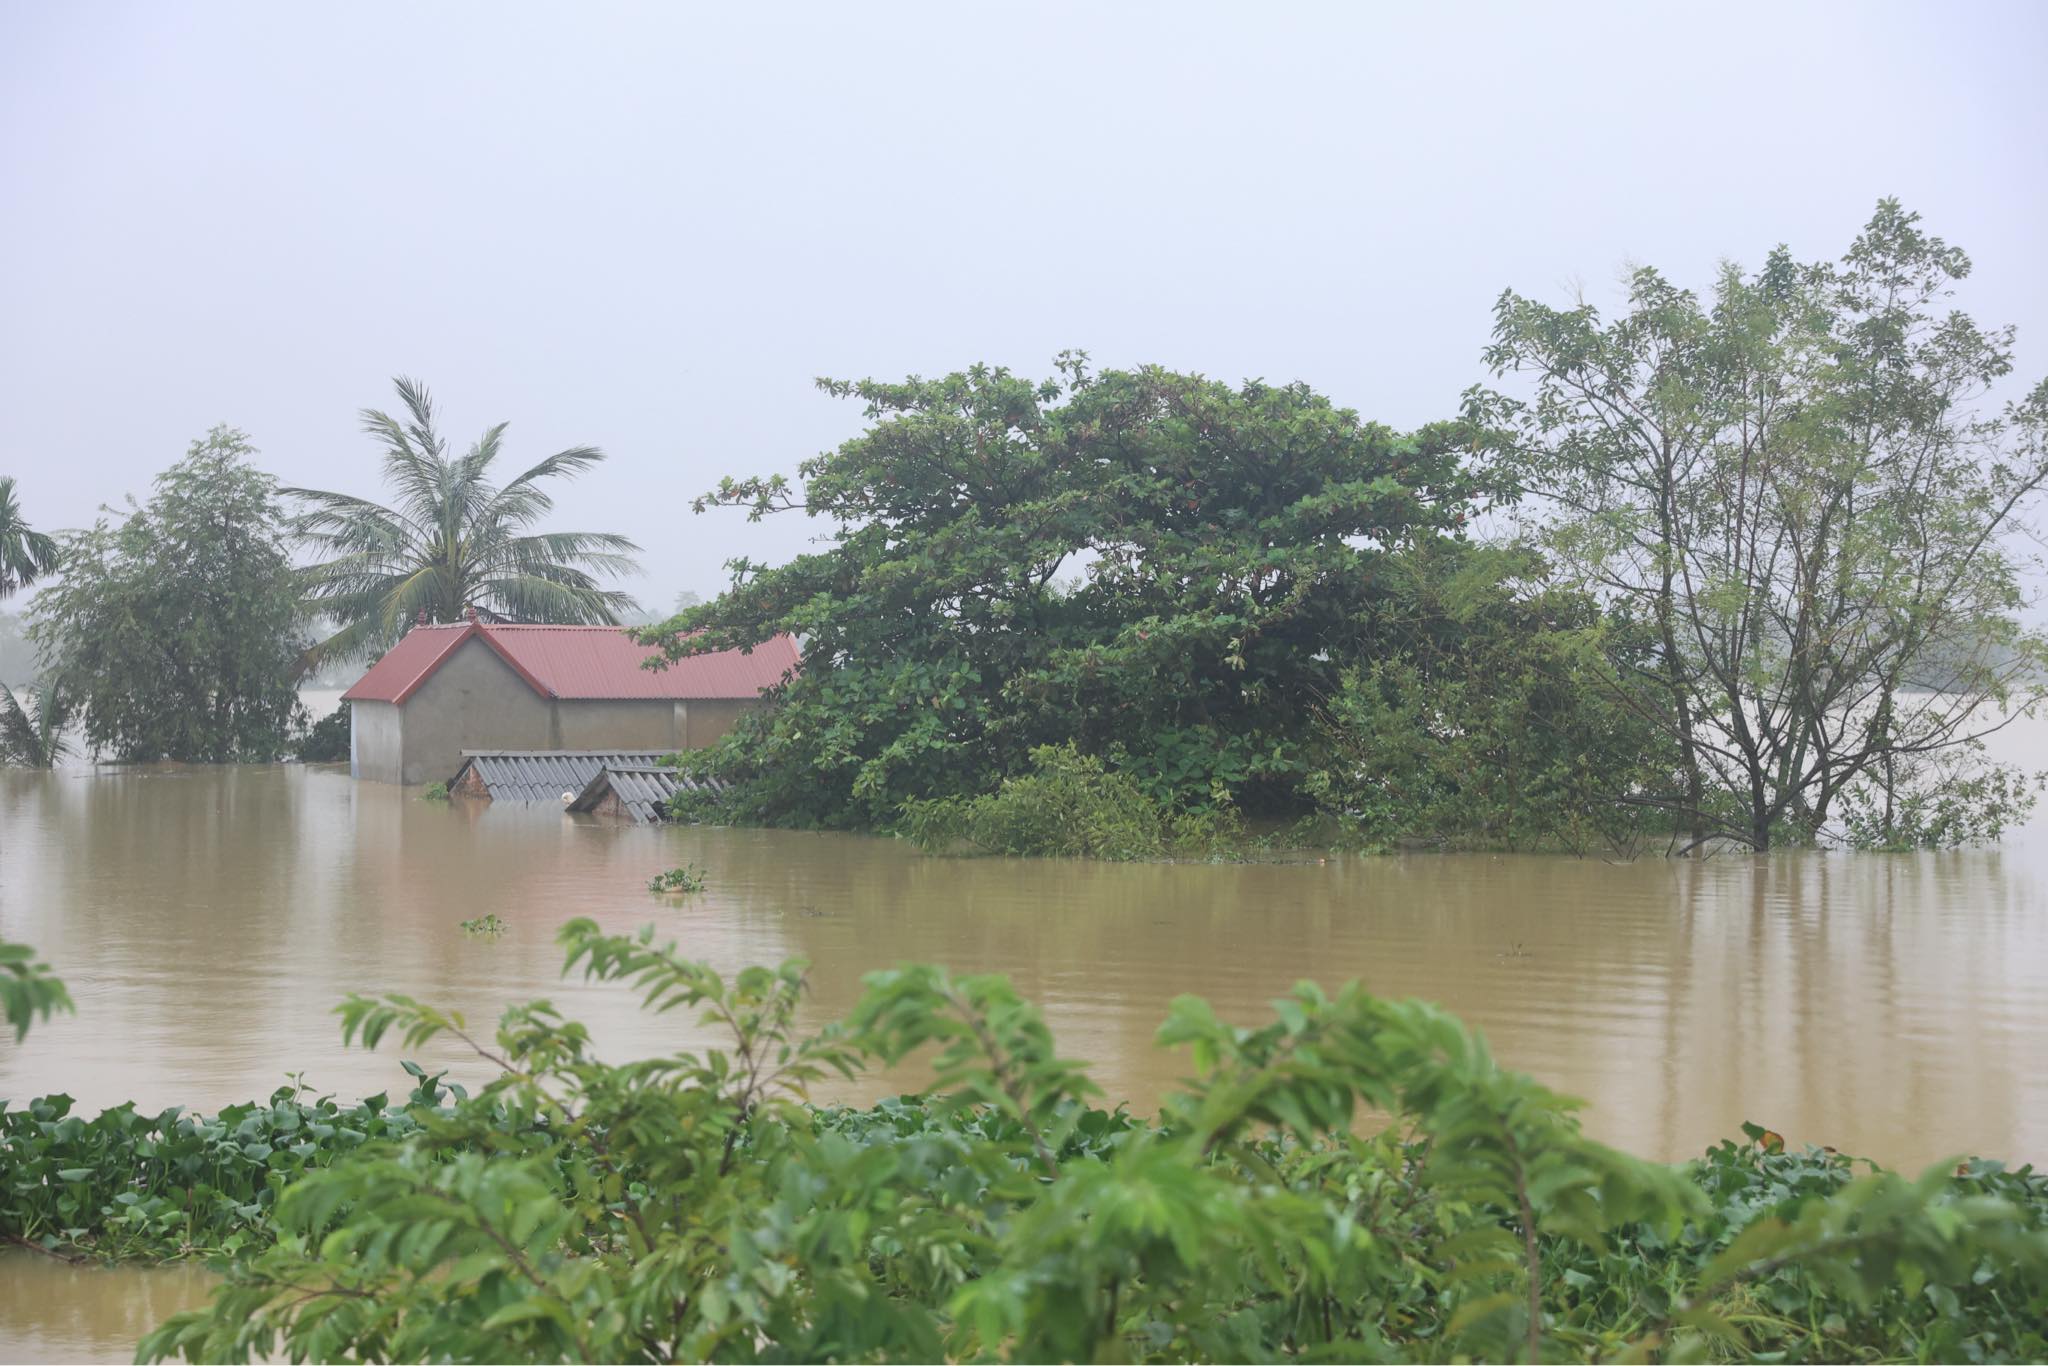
<point>177,630</point>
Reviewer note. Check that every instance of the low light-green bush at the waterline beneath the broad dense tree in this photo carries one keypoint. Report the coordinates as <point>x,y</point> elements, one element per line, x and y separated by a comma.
<point>1070,806</point>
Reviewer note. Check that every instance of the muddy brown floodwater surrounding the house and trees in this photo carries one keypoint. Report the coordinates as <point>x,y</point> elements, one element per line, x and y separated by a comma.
<point>208,921</point>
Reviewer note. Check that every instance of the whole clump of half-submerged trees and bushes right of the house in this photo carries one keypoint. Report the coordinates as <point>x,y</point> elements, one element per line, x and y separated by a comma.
<point>1736,544</point>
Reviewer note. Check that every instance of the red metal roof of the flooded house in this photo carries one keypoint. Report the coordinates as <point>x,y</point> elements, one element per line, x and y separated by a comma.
<point>581,665</point>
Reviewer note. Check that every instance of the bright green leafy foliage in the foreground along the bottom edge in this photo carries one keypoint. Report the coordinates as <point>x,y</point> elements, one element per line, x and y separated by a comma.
<point>691,1207</point>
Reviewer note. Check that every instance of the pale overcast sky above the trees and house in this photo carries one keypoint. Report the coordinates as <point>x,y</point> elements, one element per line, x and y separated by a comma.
<point>652,226</point>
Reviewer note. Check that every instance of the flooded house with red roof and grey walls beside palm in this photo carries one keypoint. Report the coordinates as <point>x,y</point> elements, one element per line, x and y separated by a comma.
<point>482,685</point>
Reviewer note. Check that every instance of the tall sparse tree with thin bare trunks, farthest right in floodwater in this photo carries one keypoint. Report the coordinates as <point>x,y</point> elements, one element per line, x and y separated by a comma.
<point>1801,488</point>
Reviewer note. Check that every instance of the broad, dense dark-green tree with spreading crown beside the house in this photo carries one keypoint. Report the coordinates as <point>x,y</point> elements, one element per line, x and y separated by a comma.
<point>1152,566</point>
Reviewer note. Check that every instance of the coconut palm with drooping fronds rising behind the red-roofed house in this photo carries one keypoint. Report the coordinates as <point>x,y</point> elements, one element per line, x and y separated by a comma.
<point>452,542</point>
